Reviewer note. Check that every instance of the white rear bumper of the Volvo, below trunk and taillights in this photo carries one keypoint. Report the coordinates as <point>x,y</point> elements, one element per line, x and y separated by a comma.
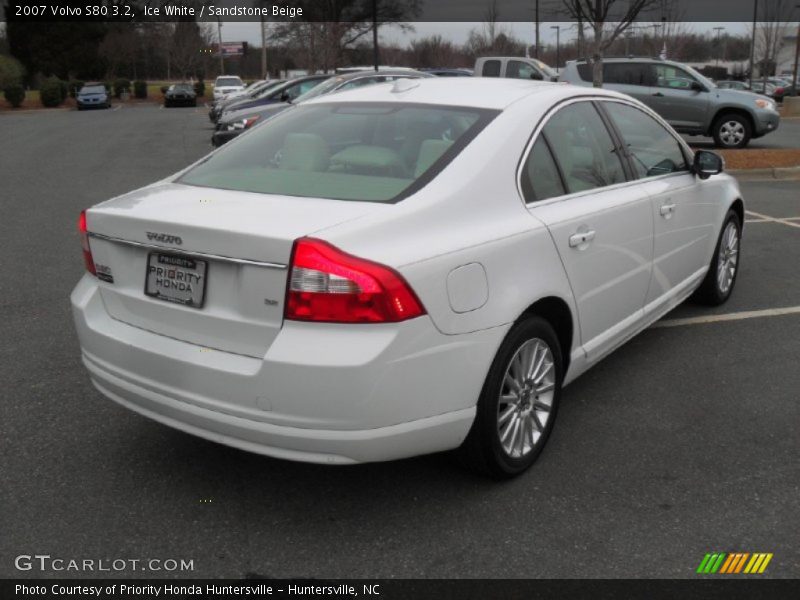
<point>323,393</point>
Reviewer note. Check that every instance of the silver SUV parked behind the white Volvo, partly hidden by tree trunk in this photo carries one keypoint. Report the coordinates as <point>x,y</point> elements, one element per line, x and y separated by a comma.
<point>690,103</point>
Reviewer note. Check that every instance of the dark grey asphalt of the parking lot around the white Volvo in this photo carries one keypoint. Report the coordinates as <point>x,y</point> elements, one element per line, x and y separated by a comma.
<point>683,442</point>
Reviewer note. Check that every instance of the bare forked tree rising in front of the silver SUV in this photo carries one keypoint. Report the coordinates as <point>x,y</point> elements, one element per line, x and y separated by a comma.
<point>608,19</point>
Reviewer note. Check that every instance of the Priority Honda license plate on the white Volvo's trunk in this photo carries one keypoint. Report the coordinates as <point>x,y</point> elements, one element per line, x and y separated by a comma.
<point>180,271</point>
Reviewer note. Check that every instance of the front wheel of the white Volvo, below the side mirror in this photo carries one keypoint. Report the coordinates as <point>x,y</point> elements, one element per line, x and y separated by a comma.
<point>724,268</point>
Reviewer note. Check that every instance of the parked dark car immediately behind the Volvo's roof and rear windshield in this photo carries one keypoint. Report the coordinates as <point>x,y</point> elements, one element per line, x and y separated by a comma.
<point>239,121</point>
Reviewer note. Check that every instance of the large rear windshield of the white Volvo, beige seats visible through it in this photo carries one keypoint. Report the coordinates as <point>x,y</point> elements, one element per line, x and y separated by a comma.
<point>374,152</point>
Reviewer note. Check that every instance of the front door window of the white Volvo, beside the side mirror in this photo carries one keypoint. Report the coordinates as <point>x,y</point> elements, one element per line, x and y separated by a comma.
<point>653,150</point>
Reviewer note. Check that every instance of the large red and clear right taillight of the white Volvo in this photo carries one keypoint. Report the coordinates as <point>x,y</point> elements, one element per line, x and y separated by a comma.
<point>328,285</point>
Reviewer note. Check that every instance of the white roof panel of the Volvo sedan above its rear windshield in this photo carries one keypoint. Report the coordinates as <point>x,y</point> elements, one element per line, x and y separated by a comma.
<point>476,92</point>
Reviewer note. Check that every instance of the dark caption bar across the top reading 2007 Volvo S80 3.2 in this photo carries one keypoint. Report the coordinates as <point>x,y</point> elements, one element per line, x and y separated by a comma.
<point>473,11</point>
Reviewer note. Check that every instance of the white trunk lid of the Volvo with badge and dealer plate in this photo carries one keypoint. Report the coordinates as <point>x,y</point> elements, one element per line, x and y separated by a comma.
<point>230,249</point>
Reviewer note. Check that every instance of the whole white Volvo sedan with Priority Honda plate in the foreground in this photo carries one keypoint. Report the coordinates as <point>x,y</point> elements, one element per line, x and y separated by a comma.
<point>399,270</point>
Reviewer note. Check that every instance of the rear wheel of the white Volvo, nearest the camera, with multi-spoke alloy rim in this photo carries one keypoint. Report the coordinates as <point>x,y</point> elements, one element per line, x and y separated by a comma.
<point>518,404</point>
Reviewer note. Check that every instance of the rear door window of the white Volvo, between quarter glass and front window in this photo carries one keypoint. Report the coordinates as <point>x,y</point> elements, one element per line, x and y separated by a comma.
<point>584,148</point>
